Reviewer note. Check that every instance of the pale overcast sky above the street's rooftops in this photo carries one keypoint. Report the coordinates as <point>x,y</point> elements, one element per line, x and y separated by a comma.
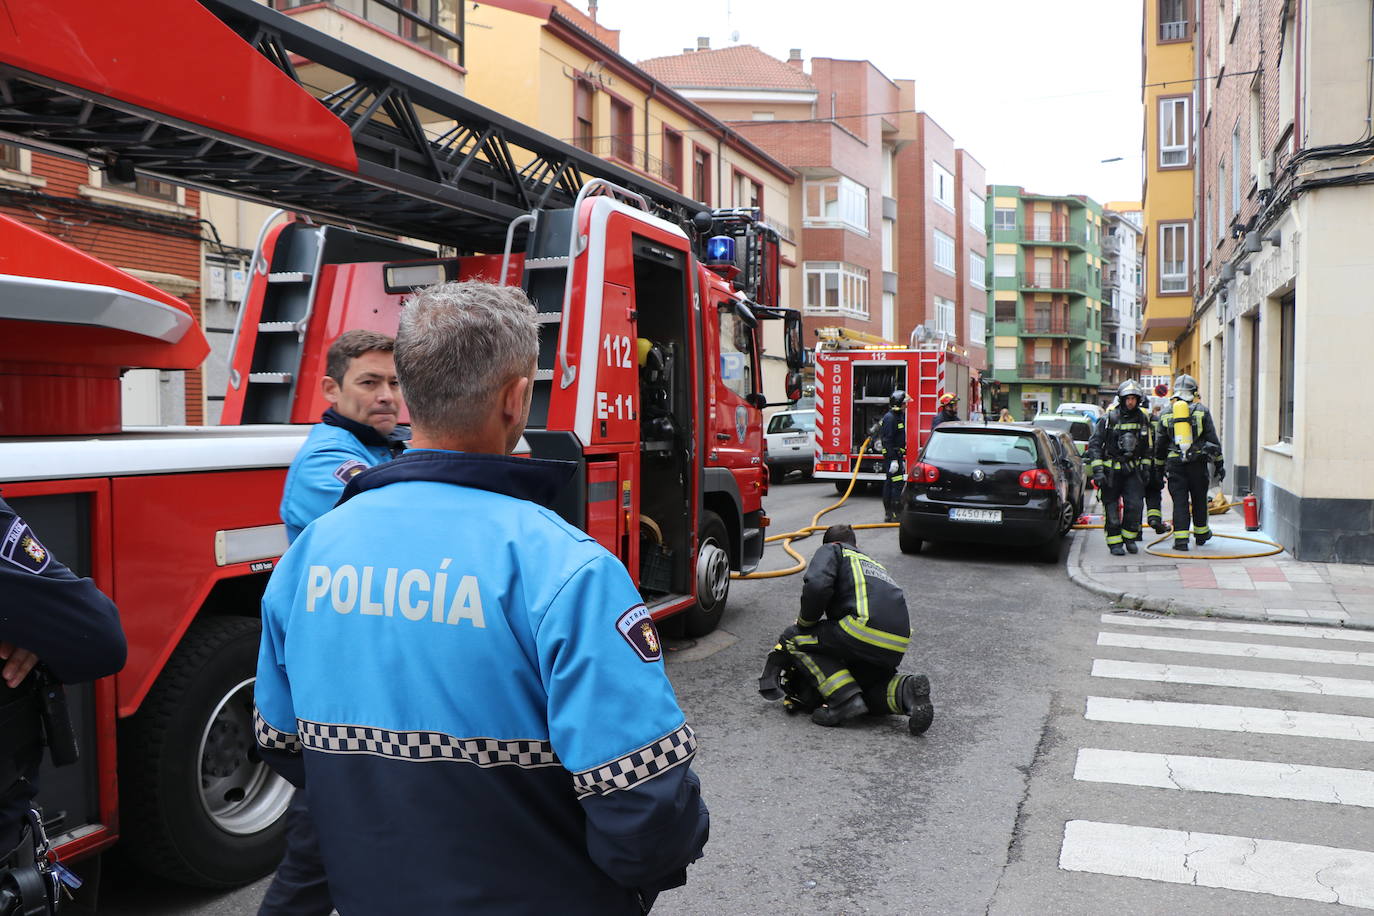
<point>1039,93</point>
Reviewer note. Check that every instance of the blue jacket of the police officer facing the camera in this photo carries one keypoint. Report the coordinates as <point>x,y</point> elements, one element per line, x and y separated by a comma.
<point>336,450</point>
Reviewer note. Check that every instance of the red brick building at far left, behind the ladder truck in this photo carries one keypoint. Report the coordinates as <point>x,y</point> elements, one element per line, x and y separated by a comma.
<point>148,229</point>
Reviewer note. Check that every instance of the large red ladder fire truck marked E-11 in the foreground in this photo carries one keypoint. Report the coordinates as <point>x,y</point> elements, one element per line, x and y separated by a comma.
<point>648,377</point>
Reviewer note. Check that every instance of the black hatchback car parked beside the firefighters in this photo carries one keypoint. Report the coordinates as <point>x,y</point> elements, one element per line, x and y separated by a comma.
<point>991,484</point>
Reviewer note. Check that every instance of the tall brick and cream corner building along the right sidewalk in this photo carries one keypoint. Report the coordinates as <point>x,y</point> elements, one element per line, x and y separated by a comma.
<point>1285,189</point>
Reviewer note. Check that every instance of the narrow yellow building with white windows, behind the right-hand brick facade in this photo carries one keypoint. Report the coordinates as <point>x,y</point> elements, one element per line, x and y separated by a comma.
<point>1170,160</point>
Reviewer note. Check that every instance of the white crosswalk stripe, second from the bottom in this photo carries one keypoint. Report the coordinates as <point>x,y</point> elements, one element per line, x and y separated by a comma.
<point>1262,779</point>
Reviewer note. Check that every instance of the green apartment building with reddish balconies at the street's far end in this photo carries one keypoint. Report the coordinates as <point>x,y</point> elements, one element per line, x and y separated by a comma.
<point>1046,299</point>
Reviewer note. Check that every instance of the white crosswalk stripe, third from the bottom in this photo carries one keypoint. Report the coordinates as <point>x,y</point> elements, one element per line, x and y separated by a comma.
<point>1232,719</point>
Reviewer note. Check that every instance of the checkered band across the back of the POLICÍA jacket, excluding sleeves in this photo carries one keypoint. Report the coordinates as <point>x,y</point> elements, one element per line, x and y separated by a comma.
<point>427,746</point>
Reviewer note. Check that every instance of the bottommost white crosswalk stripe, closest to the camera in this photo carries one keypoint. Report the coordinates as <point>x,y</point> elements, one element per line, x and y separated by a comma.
<point>1213,860</point>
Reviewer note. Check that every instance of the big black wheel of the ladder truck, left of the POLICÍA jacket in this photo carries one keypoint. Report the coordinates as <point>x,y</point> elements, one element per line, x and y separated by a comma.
<point>197,804</point>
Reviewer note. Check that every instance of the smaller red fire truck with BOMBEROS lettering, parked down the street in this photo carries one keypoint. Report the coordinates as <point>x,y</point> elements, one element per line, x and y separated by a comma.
<point>857,374</point>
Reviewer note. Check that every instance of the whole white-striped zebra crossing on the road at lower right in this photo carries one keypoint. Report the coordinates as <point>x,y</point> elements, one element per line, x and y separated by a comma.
<point>1262,691</point>
